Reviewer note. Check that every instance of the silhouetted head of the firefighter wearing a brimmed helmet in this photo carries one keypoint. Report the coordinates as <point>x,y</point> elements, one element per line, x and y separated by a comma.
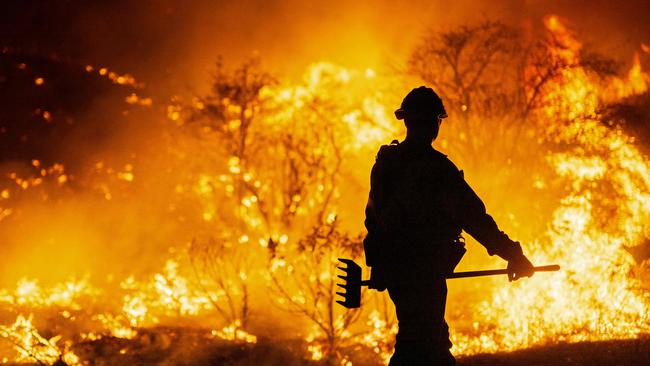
<point>422,112</point>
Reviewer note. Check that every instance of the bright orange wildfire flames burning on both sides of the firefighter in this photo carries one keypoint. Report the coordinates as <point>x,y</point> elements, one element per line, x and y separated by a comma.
<point>275,220</point>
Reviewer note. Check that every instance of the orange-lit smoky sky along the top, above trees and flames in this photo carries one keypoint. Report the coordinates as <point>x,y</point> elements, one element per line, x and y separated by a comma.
<point>173,44</point>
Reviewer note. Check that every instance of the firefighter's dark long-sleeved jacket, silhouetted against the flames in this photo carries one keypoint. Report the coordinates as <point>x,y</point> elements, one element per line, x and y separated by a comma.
<point>418,204</point>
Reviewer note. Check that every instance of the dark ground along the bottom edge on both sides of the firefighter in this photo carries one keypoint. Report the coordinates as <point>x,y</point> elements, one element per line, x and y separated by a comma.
<point>184,347</point>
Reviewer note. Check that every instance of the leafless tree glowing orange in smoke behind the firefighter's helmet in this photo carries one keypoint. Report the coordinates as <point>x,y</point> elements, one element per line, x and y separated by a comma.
<point>493,77</point>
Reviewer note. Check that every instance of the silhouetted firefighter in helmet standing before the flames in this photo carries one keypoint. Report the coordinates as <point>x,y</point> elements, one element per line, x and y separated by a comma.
<point>418,205</point>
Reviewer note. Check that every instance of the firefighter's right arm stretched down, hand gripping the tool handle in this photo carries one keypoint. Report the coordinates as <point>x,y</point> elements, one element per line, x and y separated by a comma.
<point>471,212</point>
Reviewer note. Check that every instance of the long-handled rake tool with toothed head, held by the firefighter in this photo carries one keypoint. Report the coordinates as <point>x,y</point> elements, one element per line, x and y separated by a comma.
<point>352,280</point>
